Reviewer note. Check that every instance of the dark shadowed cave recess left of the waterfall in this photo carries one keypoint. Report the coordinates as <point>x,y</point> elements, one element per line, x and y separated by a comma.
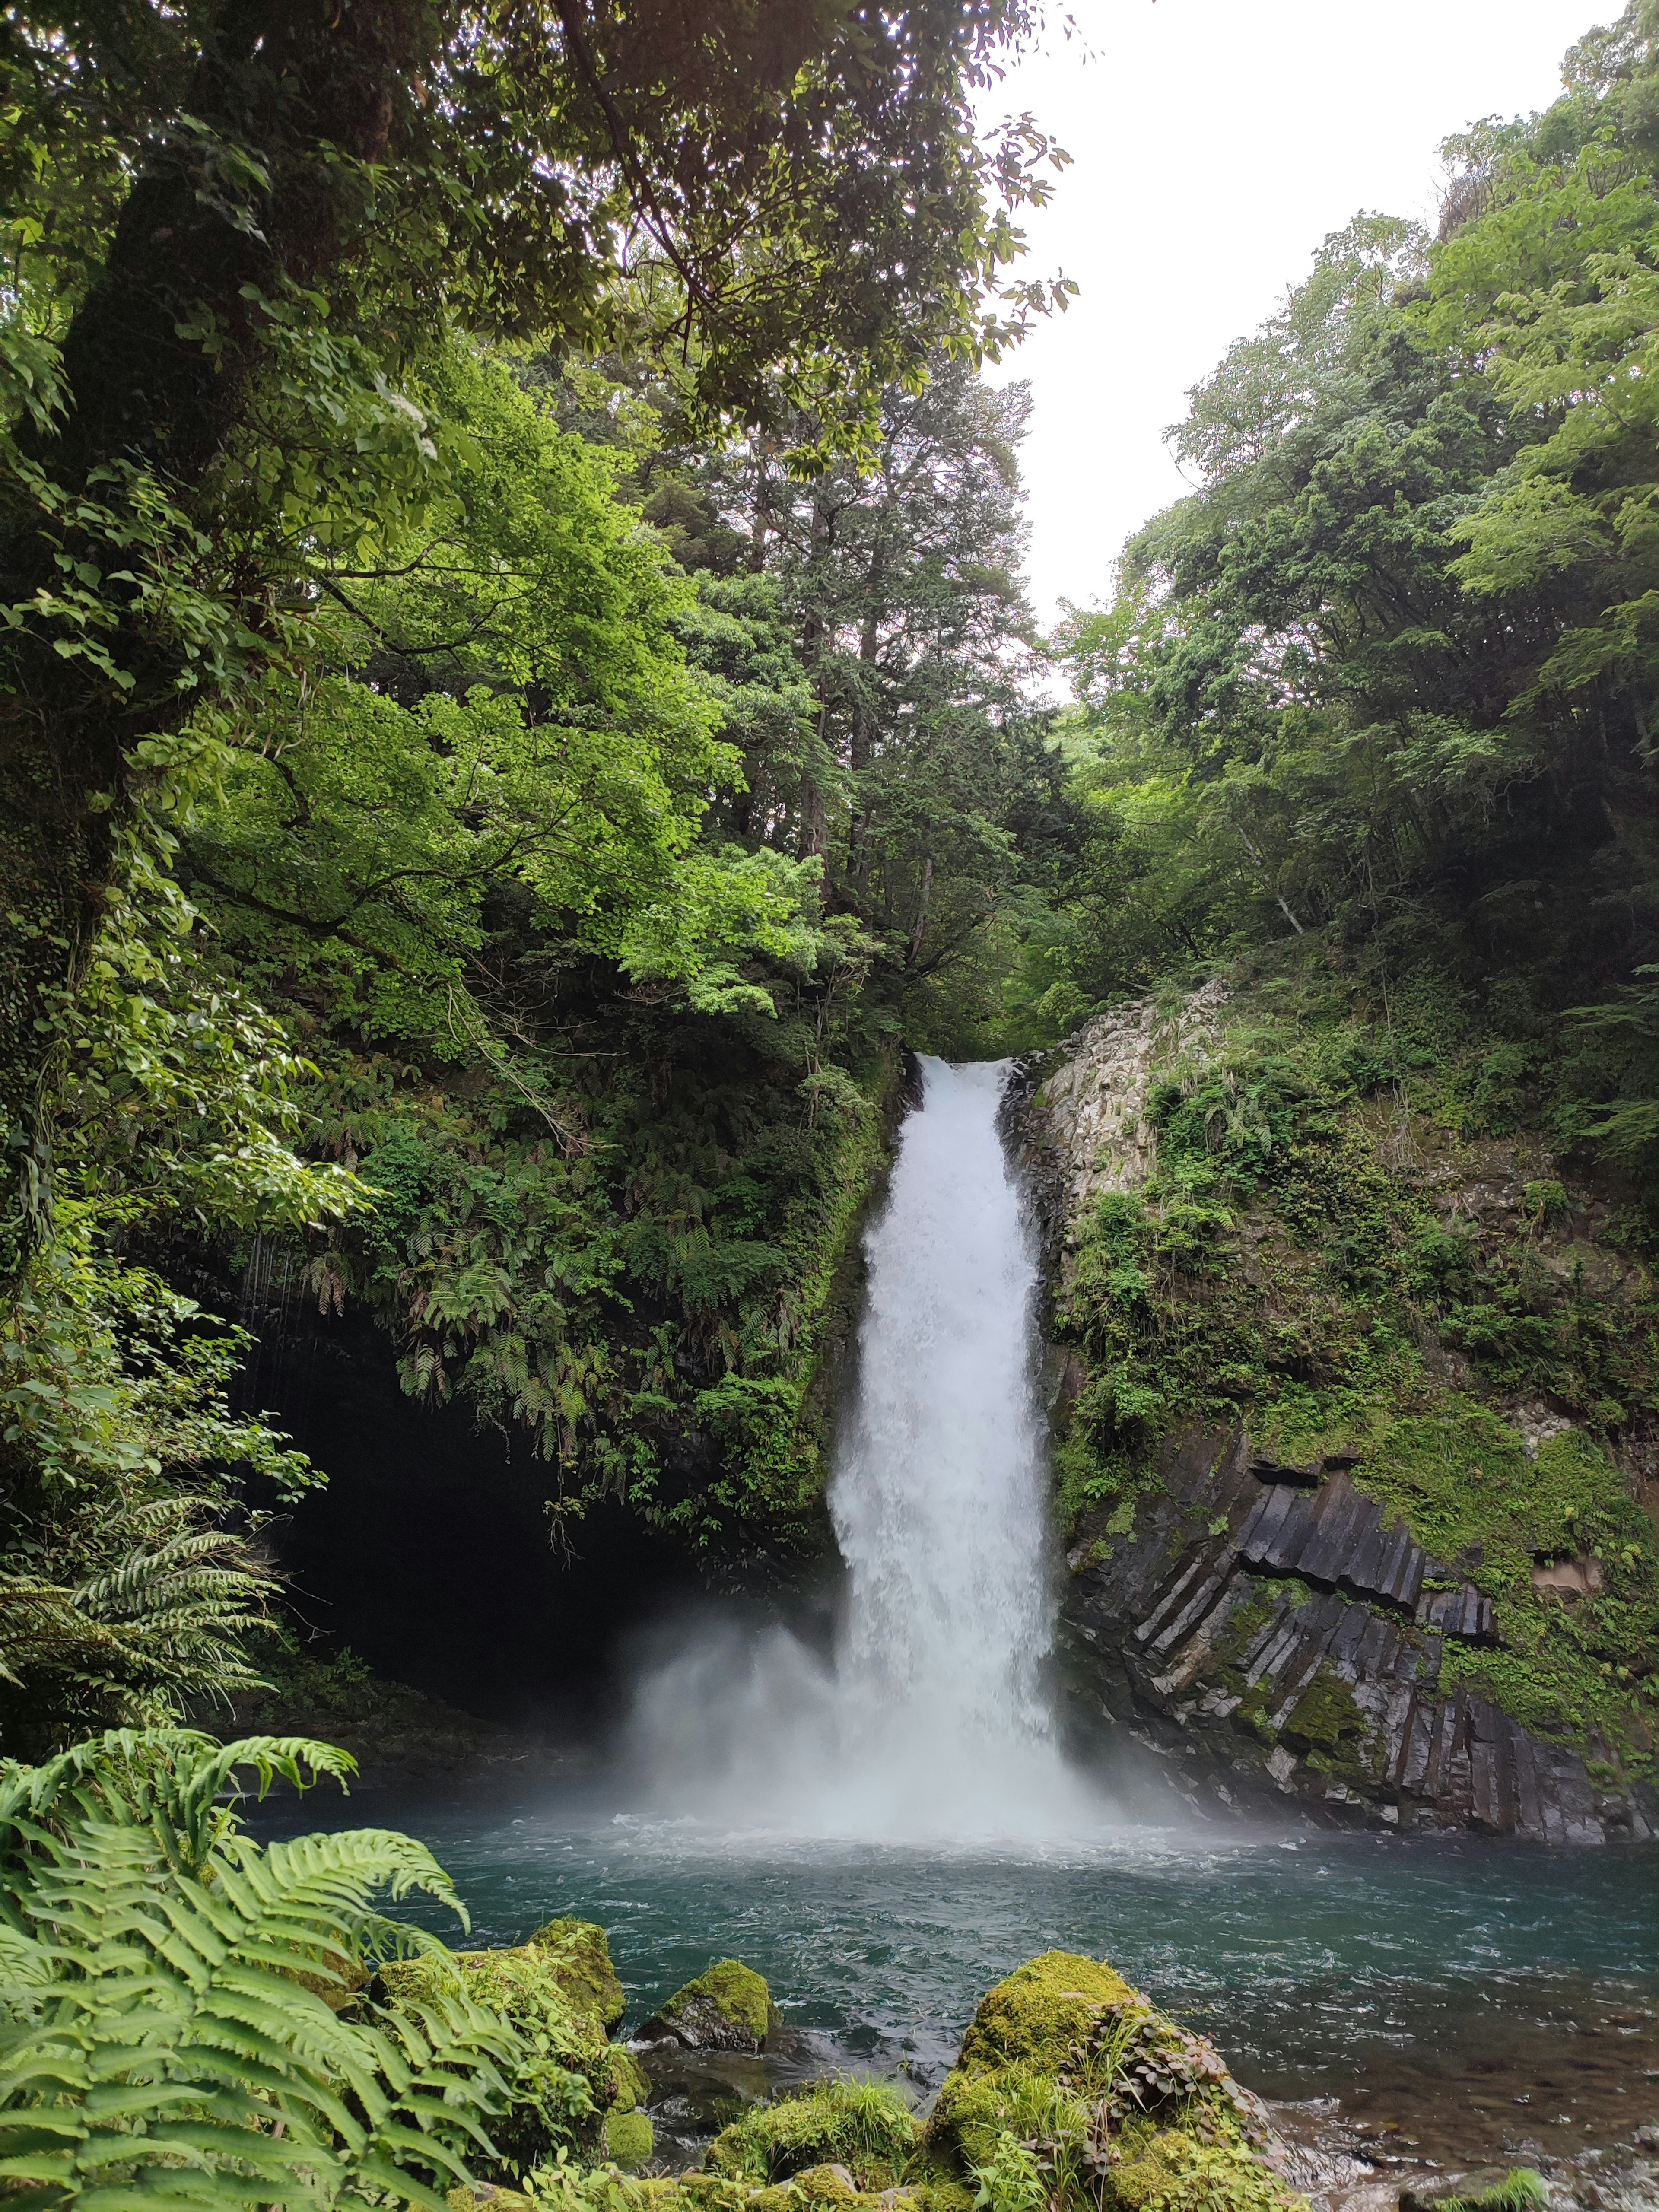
<point>430,1552</point>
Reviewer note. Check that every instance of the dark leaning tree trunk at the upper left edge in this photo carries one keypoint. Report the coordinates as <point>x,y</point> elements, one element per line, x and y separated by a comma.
<point>158,371</point>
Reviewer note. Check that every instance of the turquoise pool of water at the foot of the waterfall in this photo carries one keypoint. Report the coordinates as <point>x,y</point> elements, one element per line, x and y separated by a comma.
<point>1315,1961</point>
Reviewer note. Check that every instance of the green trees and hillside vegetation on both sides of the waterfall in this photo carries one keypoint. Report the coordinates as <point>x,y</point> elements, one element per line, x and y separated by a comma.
<point>541,731</point>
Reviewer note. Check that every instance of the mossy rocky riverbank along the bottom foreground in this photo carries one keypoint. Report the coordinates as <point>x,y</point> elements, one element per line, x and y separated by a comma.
<point>1072,2094</point>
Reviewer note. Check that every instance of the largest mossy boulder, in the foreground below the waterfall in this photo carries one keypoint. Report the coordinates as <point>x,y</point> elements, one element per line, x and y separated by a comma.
<point>1072,2072</point>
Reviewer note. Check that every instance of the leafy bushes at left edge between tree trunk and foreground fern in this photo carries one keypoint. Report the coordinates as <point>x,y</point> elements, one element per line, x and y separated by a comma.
<point>127,1589</point>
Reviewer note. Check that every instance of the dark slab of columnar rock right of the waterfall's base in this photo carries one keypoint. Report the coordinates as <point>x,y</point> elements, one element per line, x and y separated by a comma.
<point>1269,1631</point>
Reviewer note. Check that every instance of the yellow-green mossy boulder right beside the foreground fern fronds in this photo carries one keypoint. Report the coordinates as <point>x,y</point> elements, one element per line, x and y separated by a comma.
<point>570,2076</point>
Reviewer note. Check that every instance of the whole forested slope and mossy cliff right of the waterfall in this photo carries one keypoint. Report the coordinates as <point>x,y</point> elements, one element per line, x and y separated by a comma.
<point>1368,744</point>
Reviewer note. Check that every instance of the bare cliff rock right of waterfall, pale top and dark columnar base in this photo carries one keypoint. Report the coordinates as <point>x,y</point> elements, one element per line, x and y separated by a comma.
<point>1277,1631</point>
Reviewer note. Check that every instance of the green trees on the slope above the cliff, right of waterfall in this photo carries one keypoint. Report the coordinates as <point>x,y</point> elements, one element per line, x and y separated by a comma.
<point>1353,678</point>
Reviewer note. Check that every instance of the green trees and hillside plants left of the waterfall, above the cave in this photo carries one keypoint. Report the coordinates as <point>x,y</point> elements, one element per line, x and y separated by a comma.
<point>437,596</point>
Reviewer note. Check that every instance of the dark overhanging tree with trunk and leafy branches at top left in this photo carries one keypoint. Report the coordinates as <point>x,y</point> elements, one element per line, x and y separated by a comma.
<point>238,236</point>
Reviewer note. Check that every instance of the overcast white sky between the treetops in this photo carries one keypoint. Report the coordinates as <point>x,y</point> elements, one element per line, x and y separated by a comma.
<point>1213,145</point>
